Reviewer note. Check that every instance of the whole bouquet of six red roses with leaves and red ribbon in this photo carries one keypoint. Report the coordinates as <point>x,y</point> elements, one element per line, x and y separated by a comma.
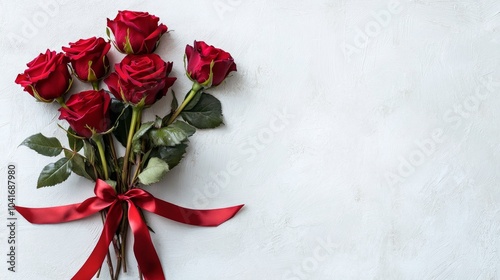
<point>99,119</point>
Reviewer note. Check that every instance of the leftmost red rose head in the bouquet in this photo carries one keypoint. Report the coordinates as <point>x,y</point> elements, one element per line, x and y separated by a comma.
<point>47,76</point>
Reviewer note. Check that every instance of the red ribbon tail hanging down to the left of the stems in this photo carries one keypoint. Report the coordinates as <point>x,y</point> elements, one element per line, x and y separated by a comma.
<point>96,258</point>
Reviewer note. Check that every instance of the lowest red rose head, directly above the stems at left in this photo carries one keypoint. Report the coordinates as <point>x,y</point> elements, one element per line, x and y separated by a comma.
<point>87,112</point>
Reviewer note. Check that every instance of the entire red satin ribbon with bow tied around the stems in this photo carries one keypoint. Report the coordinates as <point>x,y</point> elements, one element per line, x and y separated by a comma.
<point>144,251</point>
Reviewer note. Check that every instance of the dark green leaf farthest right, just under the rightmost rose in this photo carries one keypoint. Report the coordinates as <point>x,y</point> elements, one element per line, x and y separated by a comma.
<point>207,113</point>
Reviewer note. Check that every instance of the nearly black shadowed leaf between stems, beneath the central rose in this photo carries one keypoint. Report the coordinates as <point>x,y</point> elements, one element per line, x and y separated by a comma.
<point>124,119</point>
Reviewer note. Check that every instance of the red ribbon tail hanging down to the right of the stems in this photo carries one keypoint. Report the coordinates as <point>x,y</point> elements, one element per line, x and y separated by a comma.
<point>144,250</point>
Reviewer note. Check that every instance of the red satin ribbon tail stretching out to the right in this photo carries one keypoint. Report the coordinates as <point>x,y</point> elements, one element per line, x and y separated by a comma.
<point>210,217</point>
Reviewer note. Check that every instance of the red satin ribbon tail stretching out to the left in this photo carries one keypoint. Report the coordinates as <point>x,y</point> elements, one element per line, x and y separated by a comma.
<point>65,213</point>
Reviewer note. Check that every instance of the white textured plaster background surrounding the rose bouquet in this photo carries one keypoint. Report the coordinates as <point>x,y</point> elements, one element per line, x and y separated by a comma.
<point>365,136</point>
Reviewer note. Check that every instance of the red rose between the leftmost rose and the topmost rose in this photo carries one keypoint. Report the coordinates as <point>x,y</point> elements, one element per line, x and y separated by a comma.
<point>88,58</point>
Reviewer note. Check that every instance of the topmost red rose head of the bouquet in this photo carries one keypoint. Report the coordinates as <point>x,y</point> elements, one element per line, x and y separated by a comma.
<point>136,32</point>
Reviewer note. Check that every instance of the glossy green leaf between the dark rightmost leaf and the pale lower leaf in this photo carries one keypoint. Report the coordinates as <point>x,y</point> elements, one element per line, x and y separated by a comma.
<point>171,135</point>
